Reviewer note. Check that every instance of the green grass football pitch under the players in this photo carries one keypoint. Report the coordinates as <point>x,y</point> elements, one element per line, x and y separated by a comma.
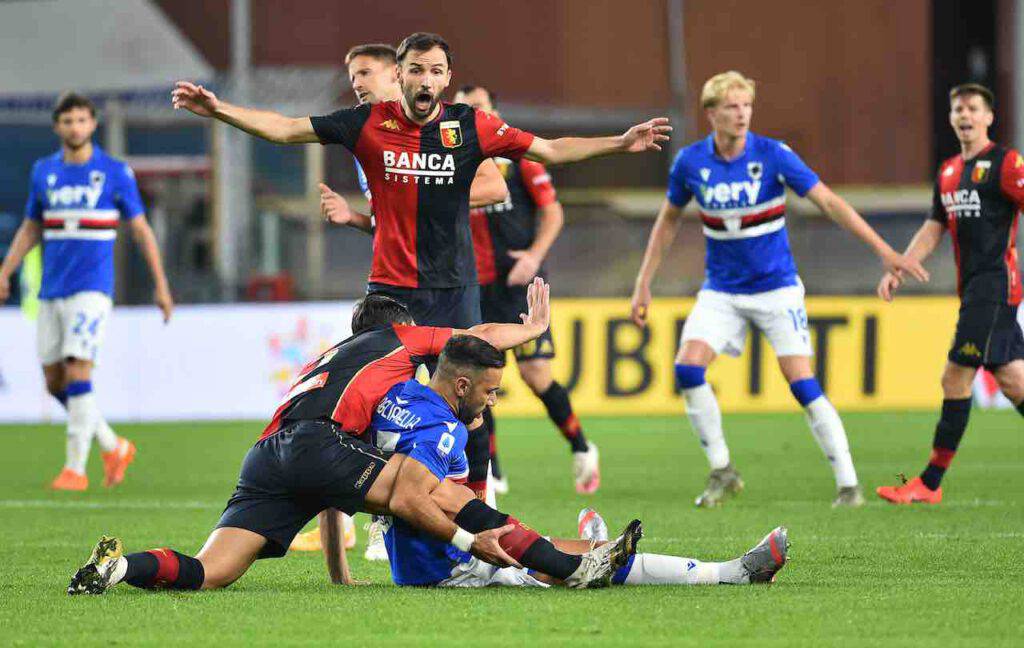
<point>879,576</point>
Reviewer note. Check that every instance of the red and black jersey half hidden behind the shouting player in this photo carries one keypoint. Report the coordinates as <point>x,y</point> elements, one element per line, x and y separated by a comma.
<point>513,225</point>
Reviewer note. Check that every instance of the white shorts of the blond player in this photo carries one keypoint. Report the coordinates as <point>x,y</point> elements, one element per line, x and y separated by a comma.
<point>721,320</point>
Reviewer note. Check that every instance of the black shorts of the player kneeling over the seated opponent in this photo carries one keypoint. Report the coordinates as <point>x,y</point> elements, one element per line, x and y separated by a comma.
<point>291,477</point>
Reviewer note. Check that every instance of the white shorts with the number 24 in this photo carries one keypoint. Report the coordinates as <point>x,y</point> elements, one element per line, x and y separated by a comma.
<point>72,327</point>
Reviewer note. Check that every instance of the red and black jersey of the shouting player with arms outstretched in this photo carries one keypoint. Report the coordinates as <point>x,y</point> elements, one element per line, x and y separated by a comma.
<point>420,179</point>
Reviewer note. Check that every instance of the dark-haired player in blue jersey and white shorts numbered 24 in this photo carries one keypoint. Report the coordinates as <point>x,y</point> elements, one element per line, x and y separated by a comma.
<point>77,199</point>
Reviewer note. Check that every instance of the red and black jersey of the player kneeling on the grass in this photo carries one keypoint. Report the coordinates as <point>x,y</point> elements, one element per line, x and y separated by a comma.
<point>348,381</point>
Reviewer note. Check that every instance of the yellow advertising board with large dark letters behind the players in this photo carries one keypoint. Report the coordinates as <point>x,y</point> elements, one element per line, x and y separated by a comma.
<point>869,356</point>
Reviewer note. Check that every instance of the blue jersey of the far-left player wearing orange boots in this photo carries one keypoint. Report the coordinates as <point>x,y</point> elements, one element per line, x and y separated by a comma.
<point>79,207</point>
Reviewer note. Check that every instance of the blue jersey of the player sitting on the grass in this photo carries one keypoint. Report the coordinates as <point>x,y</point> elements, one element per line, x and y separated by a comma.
<point>414,420</point>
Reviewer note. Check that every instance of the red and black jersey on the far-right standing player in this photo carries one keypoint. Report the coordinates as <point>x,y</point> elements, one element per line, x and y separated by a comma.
<point>979,201</point>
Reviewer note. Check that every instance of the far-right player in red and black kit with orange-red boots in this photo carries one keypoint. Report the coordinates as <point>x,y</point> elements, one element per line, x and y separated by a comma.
<point>978,197</point>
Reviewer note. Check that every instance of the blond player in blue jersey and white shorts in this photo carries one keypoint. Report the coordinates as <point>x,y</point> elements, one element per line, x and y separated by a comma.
<point>738,180</point>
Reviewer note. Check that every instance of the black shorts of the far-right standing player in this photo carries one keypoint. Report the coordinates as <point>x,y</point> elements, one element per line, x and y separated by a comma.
<point>988,335</point>
